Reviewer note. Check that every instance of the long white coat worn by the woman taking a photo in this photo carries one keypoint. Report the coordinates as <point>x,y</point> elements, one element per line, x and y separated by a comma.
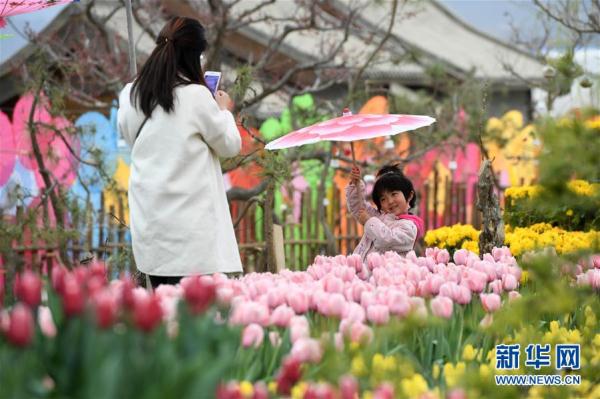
<point>179,216</point>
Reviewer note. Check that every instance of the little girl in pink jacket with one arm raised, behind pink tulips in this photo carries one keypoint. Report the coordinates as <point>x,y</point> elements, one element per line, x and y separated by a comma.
<point>389,227</point>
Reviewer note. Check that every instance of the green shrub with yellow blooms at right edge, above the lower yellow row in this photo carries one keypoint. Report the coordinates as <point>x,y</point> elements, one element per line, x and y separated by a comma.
<point>526,206</point>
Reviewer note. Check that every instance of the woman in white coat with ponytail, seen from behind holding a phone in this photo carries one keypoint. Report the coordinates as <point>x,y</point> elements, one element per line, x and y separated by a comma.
<point>180,220</point>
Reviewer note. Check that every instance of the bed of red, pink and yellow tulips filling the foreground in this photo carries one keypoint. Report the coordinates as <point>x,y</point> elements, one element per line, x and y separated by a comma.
<point>394,327</point>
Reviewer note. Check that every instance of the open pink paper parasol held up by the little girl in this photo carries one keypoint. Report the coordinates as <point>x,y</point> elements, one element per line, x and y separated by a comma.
<point>350,127</point>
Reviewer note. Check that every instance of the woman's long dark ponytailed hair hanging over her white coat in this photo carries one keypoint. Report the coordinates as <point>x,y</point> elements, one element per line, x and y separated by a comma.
<point>174,61</point>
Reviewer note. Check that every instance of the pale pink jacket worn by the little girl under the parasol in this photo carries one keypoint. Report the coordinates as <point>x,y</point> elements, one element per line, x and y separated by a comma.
<point>382,232</point>
